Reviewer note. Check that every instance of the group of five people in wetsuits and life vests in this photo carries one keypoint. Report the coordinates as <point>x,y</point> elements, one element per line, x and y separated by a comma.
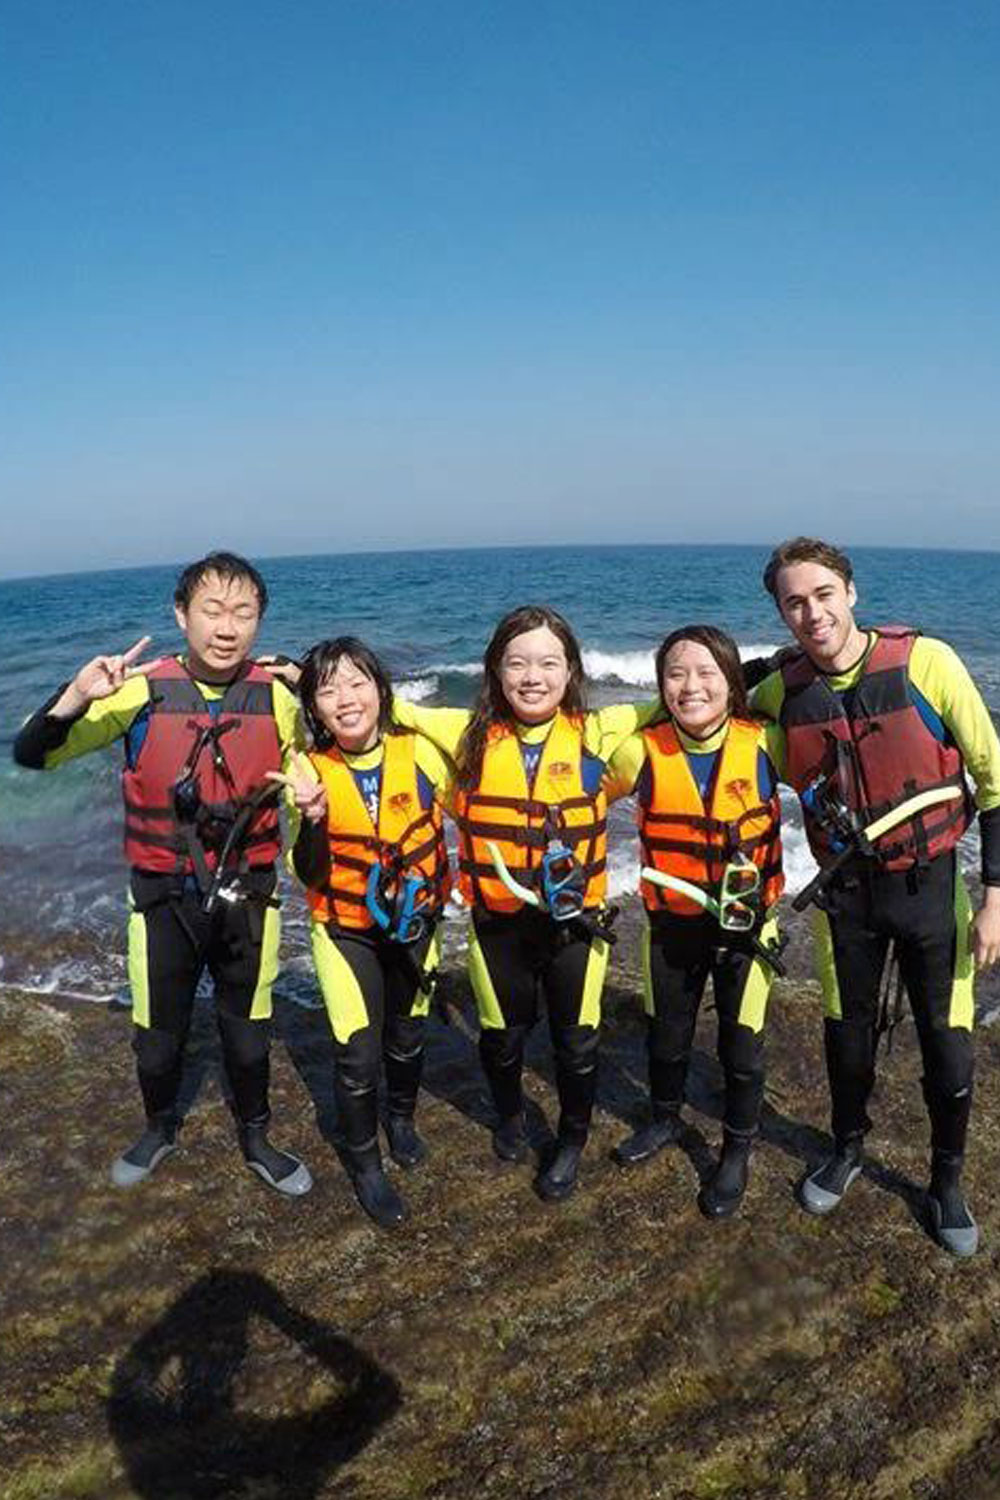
<point>876,731</point>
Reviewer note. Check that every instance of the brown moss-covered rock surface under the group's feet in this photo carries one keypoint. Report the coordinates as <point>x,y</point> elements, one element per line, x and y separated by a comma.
<point>202,1337</point>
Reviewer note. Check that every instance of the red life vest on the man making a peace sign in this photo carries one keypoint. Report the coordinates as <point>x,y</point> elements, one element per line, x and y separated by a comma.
<point>227,770</point>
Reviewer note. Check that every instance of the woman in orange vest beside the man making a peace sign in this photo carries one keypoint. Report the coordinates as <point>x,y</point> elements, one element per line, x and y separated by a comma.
<point>373,859</point>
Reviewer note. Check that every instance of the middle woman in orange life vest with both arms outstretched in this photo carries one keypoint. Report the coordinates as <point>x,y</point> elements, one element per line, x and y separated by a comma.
<point>530,772</point>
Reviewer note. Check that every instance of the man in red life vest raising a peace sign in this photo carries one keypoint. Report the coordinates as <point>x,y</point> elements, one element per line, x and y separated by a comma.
<point>202,733</point>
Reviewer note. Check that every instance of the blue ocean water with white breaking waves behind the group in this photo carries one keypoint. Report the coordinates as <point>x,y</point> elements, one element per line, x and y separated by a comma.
<point>430,616</point>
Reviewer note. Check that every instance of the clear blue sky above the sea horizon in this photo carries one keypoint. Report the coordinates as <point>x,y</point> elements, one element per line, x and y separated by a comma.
<point>362,274</point>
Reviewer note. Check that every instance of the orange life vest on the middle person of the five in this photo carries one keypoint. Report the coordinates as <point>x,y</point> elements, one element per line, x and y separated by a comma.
<point>521,821</point>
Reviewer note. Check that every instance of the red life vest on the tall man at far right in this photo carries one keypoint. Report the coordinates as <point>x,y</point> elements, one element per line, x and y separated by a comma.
<point>878,752</point>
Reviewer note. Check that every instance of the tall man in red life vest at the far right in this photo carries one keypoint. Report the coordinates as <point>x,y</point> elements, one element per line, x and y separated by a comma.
<point>872,719</point>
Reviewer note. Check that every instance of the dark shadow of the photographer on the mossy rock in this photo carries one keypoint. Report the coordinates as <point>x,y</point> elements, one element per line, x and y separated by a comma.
<point>181,1399</point>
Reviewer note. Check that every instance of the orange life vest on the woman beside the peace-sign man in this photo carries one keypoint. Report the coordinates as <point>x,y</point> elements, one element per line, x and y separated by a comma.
<point>409,839</point>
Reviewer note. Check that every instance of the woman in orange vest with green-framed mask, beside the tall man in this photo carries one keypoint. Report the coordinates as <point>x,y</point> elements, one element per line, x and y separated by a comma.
<point>707,803</point>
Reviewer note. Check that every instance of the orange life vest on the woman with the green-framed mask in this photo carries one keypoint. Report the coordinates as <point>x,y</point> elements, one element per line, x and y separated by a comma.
<point>681,836</point>
